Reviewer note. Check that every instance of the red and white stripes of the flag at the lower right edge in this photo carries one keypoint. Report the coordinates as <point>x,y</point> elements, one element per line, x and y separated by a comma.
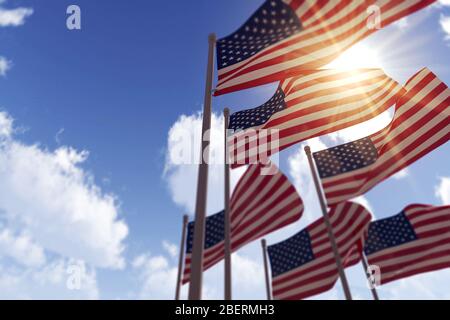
<point>431,250</point>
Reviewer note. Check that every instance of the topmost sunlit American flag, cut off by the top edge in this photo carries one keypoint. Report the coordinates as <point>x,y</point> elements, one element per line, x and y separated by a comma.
<point>283,38</point>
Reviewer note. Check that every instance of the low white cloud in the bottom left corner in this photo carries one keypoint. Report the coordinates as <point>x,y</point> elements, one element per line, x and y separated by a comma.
<point>47,282</point>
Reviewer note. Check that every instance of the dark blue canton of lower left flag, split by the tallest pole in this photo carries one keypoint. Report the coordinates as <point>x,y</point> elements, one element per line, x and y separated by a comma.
<point>214,231</point>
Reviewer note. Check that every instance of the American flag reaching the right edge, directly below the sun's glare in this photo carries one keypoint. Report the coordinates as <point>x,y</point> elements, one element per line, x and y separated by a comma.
<point>421,124</point>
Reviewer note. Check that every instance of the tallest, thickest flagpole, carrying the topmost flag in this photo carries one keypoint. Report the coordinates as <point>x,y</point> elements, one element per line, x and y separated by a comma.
<point>195,286</point>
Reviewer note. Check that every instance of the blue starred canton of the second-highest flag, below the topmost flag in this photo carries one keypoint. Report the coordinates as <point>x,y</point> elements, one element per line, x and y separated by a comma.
<point>257,116</point>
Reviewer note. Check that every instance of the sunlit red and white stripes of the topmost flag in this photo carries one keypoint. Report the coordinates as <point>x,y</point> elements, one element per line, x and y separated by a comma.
<point>330,27</point>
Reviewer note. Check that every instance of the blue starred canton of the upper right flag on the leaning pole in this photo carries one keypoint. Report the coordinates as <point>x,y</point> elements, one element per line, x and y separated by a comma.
<point>345,158</point>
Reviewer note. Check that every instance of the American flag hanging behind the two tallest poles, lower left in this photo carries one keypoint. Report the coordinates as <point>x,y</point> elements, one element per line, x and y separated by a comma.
<point>260,204</point>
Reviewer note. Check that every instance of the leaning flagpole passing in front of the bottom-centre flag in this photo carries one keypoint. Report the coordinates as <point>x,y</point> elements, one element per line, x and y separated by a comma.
<point>323,206</point>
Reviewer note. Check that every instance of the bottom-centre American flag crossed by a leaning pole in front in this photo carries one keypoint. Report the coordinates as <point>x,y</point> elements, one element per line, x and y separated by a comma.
<point>304,265</point>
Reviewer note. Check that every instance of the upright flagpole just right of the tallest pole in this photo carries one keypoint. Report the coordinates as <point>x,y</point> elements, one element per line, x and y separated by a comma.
<point>226,114</point>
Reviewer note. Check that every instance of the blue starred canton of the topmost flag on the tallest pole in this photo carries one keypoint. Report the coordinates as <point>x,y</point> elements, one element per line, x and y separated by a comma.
<point>272,22</point>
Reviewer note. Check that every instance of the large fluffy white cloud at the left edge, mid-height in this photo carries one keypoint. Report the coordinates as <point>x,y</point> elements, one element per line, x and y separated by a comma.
<point>50,202</point>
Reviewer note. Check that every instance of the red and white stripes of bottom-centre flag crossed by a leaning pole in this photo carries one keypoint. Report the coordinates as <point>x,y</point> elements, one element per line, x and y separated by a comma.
<point>350,222</point>
